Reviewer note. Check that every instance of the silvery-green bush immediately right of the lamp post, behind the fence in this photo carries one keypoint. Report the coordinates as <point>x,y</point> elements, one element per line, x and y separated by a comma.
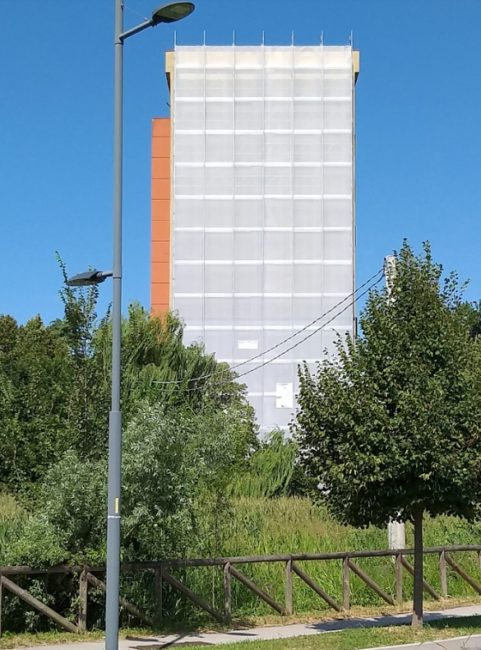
<point>177,464</point>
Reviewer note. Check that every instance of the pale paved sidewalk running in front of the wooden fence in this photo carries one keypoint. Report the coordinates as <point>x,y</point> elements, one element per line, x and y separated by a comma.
<point>288,631</point>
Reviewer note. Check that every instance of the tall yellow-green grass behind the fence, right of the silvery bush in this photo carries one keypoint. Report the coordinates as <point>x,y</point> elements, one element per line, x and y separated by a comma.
<point>259,526</point>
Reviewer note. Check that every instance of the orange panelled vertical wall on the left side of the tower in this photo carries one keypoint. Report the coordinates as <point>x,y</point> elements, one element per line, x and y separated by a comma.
<point>160,217</point>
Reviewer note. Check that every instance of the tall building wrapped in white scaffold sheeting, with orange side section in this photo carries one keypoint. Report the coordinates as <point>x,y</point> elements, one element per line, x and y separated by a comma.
<point>253,209</point>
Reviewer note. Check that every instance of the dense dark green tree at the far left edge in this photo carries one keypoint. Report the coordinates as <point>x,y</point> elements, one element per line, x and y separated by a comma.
<point>34,385</point>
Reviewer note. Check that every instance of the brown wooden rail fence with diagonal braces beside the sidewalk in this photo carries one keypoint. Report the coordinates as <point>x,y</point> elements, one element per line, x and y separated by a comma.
<point>162,572</point>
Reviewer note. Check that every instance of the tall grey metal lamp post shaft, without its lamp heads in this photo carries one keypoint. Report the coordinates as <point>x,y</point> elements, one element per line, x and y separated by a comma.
<point>115,416</point>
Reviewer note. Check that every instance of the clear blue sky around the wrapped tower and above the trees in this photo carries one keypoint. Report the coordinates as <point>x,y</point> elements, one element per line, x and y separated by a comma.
<point>418,128</point>
